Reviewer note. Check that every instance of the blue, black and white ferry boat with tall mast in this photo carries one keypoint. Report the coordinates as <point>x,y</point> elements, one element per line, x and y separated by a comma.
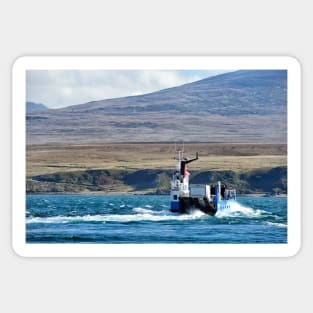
<point>187,197</point>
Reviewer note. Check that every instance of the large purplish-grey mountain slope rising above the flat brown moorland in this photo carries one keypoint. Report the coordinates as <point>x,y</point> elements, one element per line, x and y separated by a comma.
<point>240,106</point>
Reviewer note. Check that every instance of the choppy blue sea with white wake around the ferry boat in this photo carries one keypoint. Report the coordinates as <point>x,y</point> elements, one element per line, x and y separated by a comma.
<point>146,219</point>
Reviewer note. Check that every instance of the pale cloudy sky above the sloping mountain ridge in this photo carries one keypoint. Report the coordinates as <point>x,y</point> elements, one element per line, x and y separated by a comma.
<point>60,88</point>
